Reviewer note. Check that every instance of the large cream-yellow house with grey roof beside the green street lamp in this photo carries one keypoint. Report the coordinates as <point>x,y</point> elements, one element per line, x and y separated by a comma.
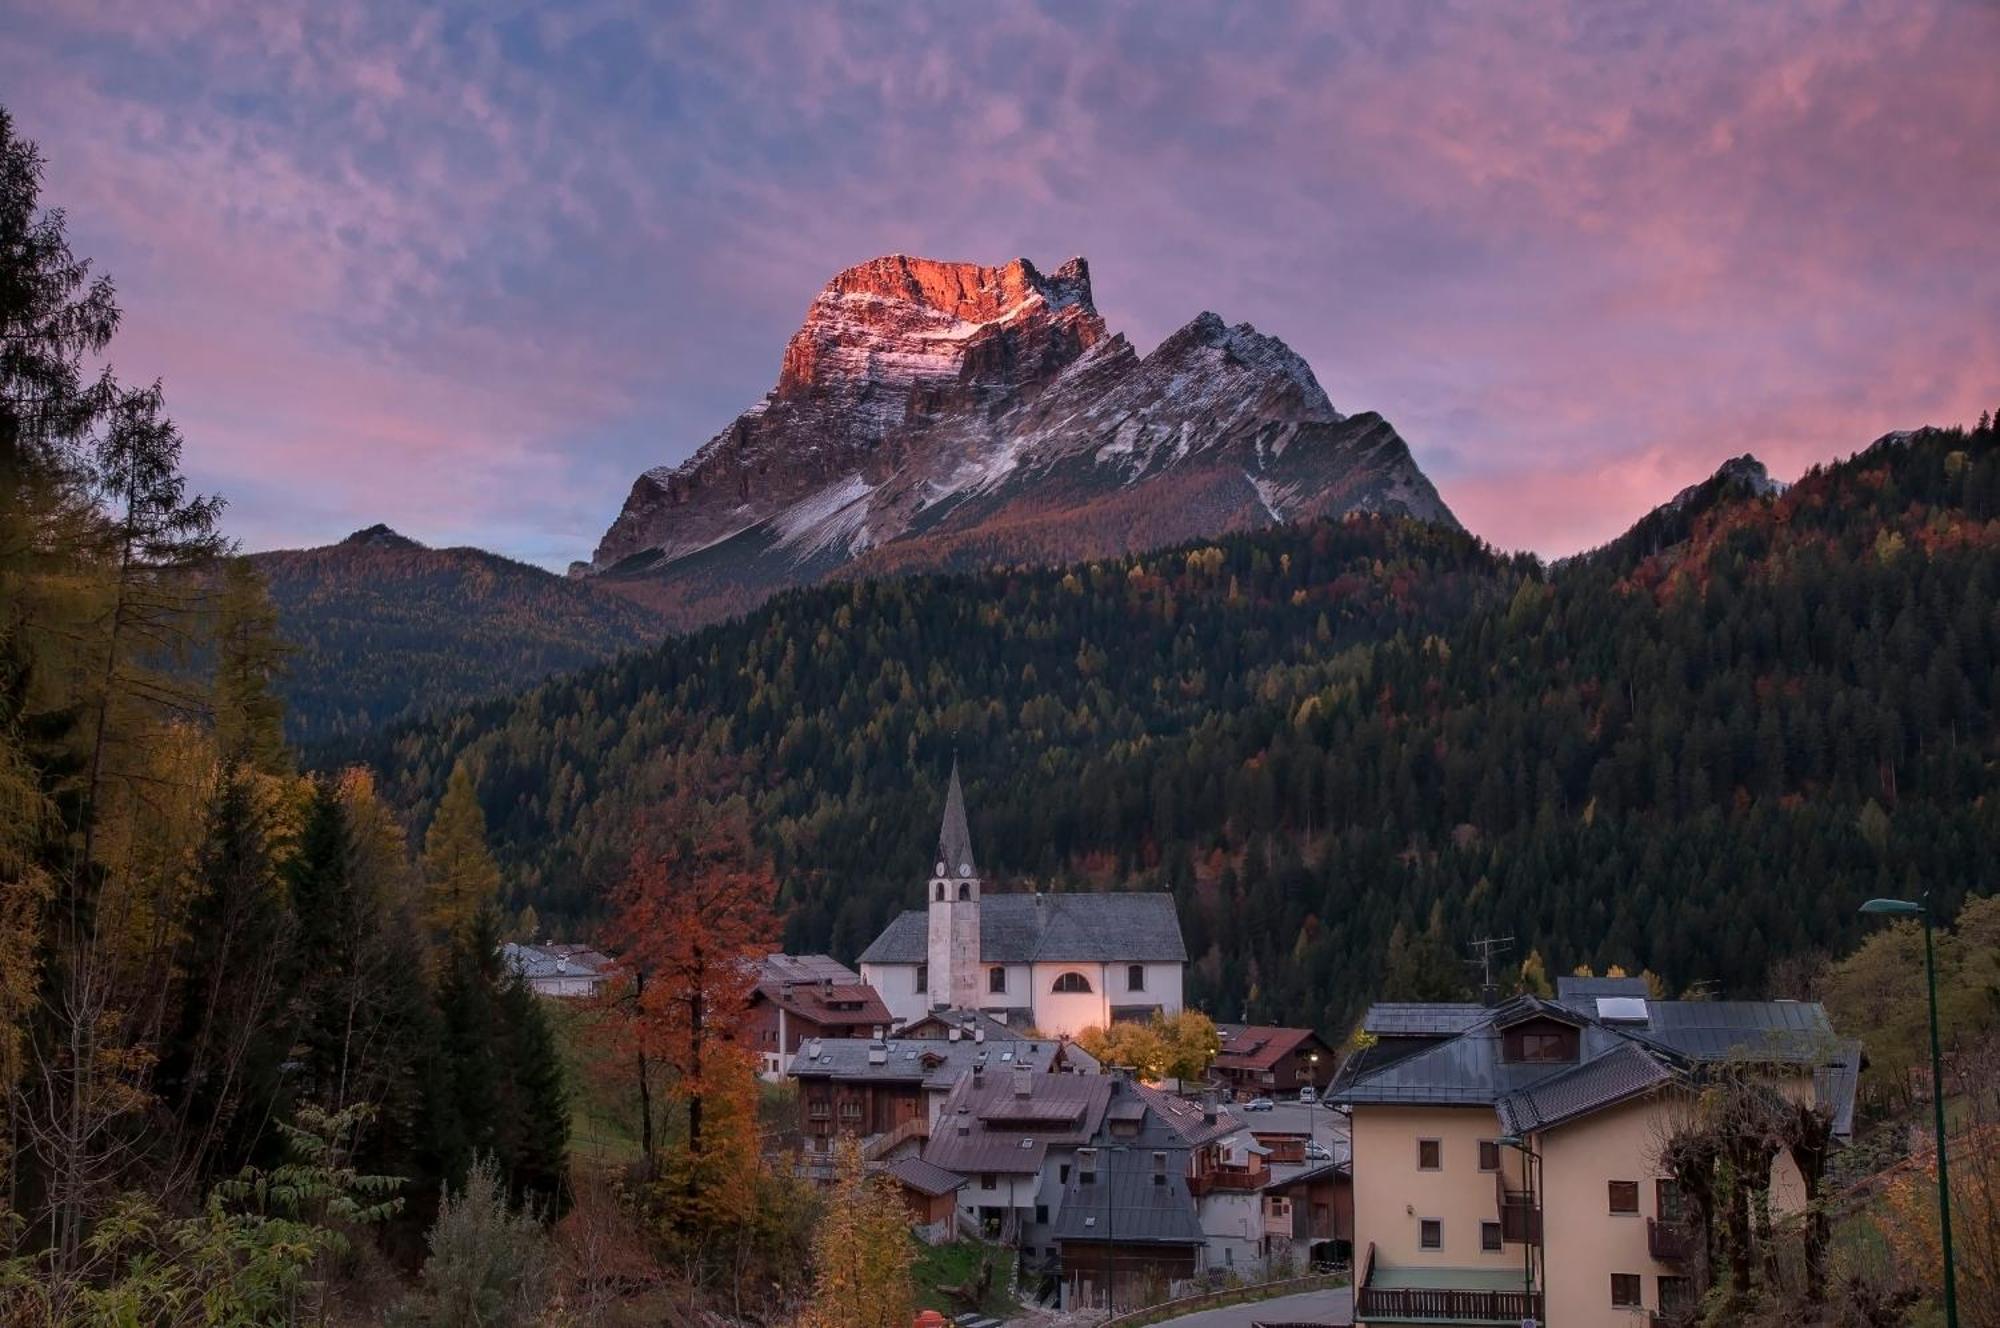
<point>1485,1137</point>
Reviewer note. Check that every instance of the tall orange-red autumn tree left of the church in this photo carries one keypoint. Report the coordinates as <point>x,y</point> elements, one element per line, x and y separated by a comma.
<point>693,919</point>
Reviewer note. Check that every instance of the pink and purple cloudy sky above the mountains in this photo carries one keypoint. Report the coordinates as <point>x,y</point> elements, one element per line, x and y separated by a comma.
<point>469,269</point>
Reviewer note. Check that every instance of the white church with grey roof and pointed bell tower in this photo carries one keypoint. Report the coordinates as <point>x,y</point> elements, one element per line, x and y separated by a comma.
<point>1055,963</point>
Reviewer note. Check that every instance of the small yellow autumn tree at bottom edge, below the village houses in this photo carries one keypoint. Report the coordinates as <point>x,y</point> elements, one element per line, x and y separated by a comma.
<point>861,1251</point>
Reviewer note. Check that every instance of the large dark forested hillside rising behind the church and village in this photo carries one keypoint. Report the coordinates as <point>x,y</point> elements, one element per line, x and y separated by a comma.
<point>1693,757</point>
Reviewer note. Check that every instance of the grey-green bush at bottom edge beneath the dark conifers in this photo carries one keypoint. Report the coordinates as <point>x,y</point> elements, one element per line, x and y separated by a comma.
<point>489,1267</point>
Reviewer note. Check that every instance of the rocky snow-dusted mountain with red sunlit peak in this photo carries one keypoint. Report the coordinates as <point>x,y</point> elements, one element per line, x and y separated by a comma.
<point>943,415</point>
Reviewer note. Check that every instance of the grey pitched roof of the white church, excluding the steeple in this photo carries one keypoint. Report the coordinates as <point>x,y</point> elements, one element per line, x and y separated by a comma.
<point>1051,929</point>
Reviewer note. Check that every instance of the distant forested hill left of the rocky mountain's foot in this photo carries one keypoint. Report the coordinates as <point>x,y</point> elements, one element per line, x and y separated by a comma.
<point>387,629</point>
